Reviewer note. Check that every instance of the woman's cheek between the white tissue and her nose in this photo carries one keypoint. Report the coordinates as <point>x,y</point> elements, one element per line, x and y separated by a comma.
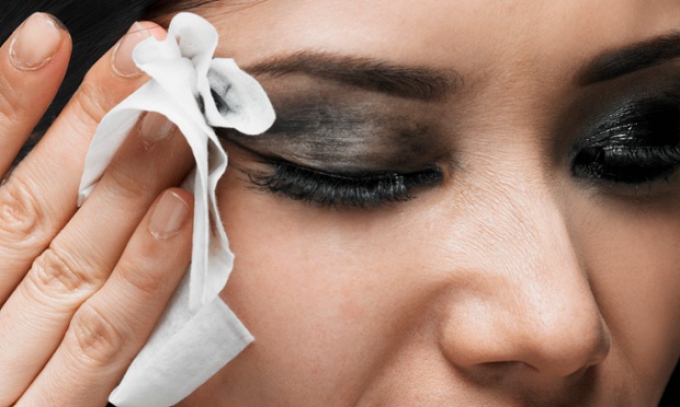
<point>324,292</point>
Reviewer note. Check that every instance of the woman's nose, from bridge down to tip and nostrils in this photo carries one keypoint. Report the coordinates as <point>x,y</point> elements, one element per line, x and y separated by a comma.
<point>527,300</point>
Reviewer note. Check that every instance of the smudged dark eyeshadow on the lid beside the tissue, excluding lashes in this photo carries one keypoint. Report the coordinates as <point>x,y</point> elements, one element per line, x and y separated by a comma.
<point>337,135</point>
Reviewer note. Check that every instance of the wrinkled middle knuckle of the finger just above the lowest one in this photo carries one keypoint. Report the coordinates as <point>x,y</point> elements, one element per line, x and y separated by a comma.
<point>57,274</point>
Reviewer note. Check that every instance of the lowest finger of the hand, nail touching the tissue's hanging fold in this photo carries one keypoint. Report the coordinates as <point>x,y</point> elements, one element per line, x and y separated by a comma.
<point>110,329</point>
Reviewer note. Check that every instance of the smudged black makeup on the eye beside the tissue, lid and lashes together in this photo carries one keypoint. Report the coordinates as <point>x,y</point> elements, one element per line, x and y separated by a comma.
<point>340,154</point>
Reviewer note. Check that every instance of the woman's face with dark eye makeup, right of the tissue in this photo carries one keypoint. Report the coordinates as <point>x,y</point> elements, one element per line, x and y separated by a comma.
<point>462,203</point>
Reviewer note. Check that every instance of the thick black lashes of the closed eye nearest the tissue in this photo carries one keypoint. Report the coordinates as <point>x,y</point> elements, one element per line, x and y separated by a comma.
<point>369,190</point>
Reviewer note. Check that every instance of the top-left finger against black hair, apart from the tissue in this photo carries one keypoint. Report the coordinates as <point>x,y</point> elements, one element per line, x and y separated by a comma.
<point>33,62</point>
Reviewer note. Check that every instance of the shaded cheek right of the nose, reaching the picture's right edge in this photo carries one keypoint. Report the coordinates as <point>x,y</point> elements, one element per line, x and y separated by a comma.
<point>632,255</point>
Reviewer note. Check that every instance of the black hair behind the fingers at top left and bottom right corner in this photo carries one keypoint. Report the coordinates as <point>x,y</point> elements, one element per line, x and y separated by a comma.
<point>95,26</point>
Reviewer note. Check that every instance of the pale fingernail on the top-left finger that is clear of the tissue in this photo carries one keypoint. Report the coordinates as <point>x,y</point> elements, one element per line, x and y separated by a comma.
<point>36,42</point>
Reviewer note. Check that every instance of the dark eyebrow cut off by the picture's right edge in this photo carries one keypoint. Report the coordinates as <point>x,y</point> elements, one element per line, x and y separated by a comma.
<point>616,63</point>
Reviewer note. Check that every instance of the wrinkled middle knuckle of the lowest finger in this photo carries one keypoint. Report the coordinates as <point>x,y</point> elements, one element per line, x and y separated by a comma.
<point>93,338</point>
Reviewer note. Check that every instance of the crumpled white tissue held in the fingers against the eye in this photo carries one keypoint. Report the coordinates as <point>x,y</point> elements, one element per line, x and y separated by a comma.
<point>198,333</point>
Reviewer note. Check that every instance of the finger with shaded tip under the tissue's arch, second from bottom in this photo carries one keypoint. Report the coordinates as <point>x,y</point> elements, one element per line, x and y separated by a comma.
<point>81,257</point>
